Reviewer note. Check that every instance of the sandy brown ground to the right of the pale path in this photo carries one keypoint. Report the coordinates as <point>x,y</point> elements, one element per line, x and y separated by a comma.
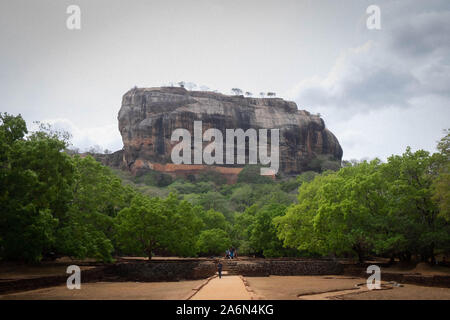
<point>336,287</point>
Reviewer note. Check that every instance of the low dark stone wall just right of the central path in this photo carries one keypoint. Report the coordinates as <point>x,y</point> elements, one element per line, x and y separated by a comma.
<point>288,268</point>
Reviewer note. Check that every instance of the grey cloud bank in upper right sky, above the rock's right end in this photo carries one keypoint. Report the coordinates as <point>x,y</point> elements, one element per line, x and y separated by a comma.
<point>410,59</point>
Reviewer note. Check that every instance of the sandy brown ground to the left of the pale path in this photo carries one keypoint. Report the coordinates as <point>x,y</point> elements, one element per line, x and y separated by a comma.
<point>111,291</point>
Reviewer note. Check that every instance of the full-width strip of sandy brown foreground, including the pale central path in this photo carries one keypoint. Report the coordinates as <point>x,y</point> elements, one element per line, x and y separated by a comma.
<point>232,288</point>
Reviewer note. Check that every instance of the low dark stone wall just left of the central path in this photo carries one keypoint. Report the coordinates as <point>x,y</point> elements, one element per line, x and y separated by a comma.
<point>162,270</point>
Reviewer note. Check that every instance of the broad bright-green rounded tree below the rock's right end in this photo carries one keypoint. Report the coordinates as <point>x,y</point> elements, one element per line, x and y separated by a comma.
<point>335,213</point>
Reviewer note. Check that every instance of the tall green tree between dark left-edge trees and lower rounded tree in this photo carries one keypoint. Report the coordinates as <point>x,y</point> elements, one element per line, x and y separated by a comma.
<point>97,197</point>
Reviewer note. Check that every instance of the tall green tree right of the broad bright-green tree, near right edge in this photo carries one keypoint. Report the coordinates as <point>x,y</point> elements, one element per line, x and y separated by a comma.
<point>410,201</point>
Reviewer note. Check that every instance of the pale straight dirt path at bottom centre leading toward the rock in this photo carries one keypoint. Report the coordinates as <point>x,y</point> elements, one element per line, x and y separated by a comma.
<point>226,288</point>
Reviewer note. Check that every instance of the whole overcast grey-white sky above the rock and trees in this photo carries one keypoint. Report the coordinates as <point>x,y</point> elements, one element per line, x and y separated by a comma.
<point>377,90</point>
